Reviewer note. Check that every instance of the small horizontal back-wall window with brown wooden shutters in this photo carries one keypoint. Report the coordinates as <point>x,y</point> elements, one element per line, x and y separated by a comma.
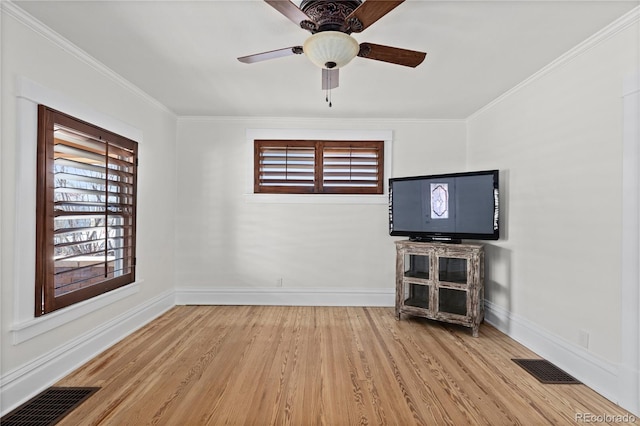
<point>318,167</point>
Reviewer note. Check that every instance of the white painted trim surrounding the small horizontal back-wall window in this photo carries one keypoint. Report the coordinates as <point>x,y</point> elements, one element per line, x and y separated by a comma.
<point>317,134</point>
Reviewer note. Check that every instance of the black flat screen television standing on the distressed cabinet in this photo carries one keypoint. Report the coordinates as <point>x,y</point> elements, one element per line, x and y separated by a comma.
<point>446,207</point>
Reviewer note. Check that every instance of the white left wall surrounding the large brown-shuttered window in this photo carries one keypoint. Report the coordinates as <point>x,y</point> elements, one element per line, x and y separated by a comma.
<point>49,347</point>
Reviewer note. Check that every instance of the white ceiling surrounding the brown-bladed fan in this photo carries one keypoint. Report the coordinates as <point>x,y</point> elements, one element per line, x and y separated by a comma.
<point>183,53</point>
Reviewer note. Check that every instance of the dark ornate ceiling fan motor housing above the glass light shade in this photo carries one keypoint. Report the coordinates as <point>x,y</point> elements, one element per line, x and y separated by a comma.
<point>329,15</point>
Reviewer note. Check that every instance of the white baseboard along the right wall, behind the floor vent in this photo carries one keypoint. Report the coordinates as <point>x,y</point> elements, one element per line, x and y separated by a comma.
<point>600,375</point>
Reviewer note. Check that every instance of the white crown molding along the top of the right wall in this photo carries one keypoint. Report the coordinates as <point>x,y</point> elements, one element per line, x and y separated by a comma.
<point>626,20</point>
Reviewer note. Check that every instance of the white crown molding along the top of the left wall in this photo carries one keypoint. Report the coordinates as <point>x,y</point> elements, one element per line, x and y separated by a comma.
<point>11,9</point>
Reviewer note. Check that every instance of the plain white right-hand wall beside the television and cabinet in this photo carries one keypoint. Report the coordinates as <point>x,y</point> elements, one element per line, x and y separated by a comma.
<point>558,140</point>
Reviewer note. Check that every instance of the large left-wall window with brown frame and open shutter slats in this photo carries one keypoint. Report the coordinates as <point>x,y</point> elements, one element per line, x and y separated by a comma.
<point>85,211</point>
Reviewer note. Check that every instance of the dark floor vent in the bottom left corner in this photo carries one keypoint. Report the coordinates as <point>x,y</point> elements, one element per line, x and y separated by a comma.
<point>47,408</point>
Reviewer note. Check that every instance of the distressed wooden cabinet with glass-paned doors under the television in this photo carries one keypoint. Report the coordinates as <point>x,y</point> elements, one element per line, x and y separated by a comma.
<point>440,281</point>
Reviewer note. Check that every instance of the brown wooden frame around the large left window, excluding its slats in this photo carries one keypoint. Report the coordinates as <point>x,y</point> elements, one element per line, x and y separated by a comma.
<point>46,301</point>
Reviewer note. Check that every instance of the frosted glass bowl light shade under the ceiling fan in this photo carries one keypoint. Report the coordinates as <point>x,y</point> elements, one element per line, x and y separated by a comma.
<point>331,46</point>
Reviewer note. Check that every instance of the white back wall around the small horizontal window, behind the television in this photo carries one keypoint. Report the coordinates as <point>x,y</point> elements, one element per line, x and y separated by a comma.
<point>229,240</point>
